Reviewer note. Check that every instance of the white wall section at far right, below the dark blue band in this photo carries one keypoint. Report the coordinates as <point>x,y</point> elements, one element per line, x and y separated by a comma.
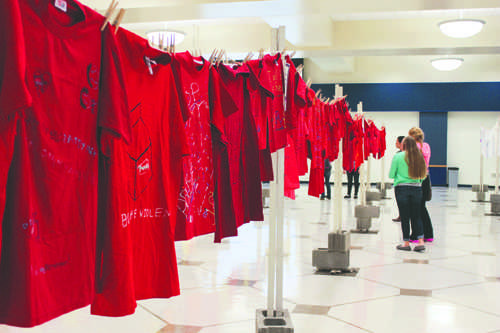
<point>463,145</point>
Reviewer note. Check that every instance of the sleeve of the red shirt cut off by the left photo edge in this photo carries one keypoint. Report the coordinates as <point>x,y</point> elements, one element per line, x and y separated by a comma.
<point>14,92</point>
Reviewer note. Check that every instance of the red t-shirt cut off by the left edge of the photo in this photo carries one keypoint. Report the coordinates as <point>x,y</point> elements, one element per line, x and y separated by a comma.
<point>14,94</point>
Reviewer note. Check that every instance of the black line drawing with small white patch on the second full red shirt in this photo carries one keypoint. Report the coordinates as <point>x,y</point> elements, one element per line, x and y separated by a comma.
<point>140,155</point>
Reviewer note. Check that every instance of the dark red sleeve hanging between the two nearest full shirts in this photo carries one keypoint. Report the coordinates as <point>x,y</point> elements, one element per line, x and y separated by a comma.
<point>113,107</point>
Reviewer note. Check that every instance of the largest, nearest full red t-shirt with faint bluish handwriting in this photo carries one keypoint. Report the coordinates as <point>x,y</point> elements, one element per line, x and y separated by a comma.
<point>49,241</point>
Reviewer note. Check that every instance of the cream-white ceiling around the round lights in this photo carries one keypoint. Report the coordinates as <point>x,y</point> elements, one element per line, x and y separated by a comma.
<point>342,41</point>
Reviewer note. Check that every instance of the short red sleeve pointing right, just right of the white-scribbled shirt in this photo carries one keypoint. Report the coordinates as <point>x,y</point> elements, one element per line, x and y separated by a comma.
<point>222,104</point>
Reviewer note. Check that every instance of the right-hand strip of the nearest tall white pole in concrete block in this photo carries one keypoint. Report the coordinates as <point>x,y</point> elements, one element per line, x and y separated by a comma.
<point>281,191</point>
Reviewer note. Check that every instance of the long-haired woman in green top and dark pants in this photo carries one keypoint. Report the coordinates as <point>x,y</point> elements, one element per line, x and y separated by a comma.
<point>408,169</point>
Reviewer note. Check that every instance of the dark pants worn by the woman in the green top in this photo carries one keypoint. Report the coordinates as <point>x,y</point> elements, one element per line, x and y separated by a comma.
<point>409,199</point>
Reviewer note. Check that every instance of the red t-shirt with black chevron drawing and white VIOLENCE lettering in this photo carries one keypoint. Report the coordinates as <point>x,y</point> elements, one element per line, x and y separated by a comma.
<point>142,181</point>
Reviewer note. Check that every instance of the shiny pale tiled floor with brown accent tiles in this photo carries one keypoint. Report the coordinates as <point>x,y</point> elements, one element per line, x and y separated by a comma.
<point>453,287</point>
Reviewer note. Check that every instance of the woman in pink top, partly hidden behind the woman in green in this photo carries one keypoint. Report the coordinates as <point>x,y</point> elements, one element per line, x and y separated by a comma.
<point>418,135</point>
